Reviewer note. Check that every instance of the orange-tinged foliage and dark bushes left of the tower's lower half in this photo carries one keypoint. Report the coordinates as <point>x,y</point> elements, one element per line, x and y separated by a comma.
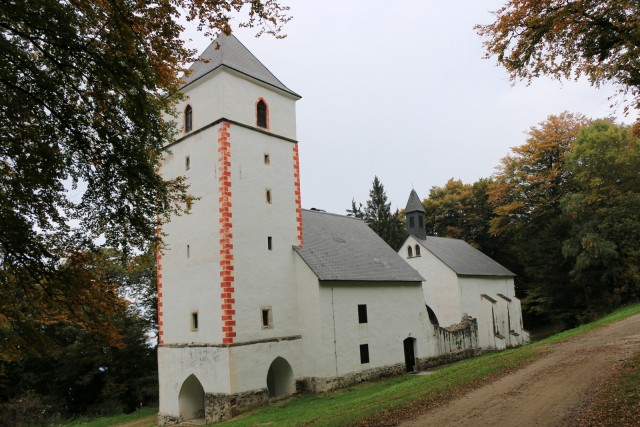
<point>71,370</point>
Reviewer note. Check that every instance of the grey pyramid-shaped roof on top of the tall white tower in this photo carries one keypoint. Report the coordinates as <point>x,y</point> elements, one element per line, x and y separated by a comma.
<point>229,52</point>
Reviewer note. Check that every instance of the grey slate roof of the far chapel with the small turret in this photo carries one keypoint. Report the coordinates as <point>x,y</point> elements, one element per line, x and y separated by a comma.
<point>462,258</point>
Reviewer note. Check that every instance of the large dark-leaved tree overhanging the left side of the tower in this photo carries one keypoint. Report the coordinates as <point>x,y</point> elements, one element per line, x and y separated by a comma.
<point>85,89</point>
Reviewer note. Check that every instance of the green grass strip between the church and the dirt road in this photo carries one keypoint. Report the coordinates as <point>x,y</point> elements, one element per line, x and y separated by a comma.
<point>376,402</point>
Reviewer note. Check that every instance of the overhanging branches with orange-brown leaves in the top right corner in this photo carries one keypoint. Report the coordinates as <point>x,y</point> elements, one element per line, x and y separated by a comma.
<point>568,38</point>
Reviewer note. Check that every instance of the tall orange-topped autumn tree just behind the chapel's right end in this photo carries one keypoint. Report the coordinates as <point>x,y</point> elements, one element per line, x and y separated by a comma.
<point>527,197</point>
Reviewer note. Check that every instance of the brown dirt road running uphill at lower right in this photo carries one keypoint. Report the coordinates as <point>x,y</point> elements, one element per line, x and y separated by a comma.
<point>549,392</point>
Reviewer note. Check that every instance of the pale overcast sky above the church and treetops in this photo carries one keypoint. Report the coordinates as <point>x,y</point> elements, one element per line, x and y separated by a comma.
<point>400,89</point>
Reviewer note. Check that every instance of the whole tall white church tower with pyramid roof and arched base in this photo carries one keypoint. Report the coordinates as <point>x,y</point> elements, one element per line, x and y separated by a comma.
<point>226,279</point>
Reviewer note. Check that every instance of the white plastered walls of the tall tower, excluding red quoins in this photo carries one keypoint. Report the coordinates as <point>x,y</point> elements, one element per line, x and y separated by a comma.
<point>262,278</point>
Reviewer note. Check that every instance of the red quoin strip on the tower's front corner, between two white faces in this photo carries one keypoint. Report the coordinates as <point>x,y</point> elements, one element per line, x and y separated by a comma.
<point>226,235</point>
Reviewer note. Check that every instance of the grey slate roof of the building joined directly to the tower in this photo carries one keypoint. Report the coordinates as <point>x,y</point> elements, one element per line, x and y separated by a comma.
<point>342,248</point>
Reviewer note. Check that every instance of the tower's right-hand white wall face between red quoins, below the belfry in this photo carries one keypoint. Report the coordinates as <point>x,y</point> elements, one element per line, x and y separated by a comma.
<point>263,277</point>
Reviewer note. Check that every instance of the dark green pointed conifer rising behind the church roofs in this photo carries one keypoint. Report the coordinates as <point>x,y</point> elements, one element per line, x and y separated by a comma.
<point>377,214</point>
